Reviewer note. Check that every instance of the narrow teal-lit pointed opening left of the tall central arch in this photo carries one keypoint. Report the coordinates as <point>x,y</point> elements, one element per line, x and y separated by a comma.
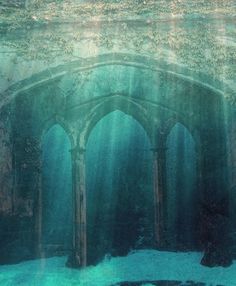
<point>56,193</point>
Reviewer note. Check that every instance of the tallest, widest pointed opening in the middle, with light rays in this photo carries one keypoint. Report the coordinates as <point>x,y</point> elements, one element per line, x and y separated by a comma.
<point>120,207</point>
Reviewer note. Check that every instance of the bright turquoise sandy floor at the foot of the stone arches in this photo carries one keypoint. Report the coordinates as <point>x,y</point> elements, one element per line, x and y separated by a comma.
<point>143,265</point>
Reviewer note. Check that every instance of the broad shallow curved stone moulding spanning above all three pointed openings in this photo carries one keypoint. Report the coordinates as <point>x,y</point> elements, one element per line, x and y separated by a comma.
<point>52,75</point>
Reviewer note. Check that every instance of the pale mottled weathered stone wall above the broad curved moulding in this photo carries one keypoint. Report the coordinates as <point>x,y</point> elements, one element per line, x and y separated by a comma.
<point>194,36</point>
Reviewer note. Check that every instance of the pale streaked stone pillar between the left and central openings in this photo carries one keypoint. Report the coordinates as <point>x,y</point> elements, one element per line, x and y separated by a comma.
<point>79,255</point>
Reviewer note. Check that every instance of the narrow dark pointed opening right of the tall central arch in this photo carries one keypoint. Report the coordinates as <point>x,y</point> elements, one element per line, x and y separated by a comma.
<point>182,202</point>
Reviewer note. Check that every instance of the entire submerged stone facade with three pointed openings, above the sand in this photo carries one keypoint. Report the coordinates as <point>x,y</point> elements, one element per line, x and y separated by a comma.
<point>168,66</point>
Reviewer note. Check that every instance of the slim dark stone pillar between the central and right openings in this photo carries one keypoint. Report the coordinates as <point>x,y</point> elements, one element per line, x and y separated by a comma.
<point>159,178</point>
